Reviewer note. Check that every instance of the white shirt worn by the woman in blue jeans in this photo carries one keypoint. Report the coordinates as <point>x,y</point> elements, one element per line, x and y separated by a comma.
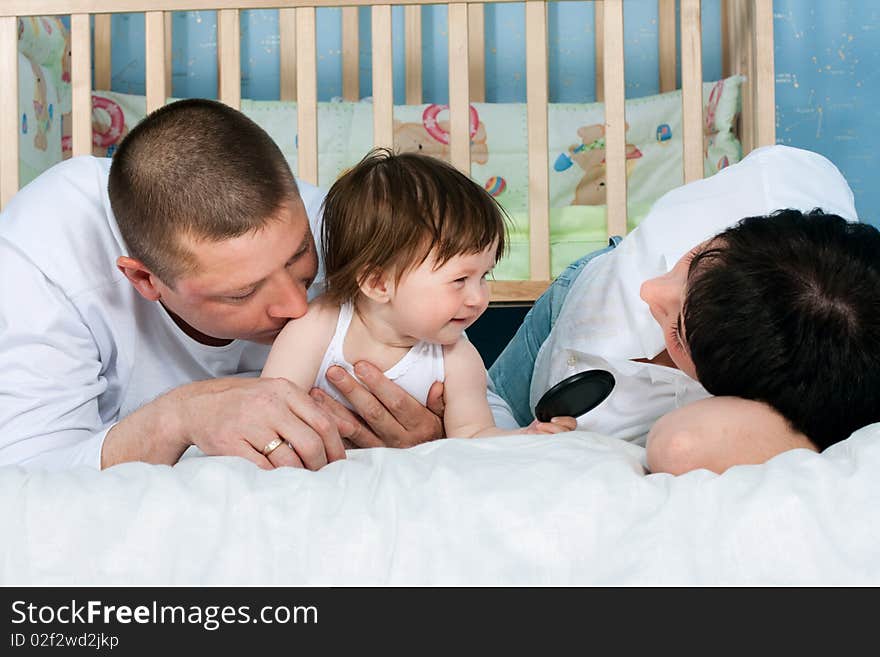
<point>604,323</point>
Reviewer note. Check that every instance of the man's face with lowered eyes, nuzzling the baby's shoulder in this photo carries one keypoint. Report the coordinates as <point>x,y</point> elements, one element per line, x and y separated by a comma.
<point>246,287</point>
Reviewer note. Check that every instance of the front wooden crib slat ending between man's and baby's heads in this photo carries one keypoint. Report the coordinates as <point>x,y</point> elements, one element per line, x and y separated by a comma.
<point>306,95</point>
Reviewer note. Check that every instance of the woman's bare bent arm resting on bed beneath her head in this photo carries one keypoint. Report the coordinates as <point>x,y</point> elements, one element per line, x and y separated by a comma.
<point>718,433</point>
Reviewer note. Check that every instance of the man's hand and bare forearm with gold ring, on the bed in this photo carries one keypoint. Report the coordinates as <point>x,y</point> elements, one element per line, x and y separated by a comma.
<point>229,417</point>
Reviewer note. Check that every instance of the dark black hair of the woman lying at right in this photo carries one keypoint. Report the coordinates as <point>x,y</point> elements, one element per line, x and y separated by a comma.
<point>785,309</point>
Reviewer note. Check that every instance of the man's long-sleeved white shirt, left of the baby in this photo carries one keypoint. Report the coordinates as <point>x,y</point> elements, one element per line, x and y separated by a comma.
<point>80,349</point>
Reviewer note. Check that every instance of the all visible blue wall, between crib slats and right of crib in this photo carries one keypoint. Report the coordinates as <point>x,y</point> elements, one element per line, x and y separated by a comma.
<point>827,62</point>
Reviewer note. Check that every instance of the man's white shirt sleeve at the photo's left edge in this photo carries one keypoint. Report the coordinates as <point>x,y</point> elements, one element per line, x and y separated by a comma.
<point>51,381</point>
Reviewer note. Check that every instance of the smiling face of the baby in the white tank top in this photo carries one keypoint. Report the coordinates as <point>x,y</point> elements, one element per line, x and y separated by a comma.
<point>437,304</point>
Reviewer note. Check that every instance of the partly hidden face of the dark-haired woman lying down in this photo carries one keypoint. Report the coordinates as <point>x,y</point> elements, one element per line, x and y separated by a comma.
<point>665,297</point>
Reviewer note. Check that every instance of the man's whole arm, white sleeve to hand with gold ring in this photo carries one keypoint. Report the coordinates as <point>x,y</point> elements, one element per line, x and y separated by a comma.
<point>51,417</point>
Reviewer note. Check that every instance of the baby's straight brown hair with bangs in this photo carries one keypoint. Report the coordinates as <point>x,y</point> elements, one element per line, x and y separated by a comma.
<point>394,210</point>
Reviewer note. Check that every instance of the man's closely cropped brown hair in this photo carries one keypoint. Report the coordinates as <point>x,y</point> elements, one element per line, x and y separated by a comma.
<point>199,168</point>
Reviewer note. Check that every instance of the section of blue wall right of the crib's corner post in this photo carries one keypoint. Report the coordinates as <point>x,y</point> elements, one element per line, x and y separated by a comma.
<point>827,80</point>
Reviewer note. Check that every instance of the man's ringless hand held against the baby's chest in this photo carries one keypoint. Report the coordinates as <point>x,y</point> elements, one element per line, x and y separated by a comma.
<point>387,416</point>
